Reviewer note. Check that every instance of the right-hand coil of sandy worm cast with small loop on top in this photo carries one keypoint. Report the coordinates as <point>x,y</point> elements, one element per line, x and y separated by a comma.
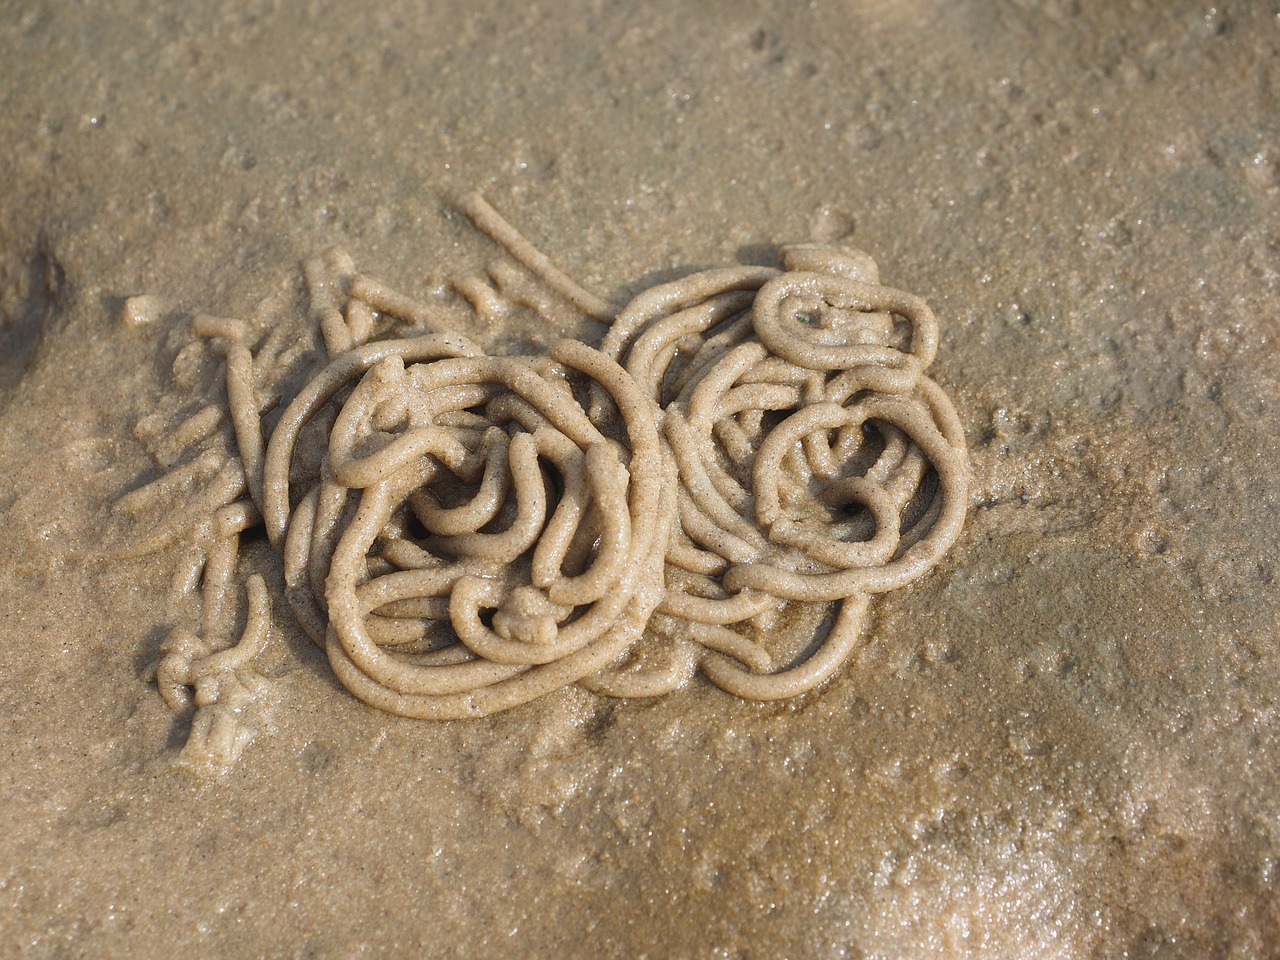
<point>817,464</point>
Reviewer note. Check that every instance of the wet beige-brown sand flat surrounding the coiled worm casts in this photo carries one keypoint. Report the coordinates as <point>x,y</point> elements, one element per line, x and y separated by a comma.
<point>1063,743</point>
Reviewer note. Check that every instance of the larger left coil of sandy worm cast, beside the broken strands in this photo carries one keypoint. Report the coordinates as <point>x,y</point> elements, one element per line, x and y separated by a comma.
<point>479,540</point>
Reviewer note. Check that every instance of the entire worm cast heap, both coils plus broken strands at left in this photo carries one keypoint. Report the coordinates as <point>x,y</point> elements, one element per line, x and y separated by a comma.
<point>721,487</point>
